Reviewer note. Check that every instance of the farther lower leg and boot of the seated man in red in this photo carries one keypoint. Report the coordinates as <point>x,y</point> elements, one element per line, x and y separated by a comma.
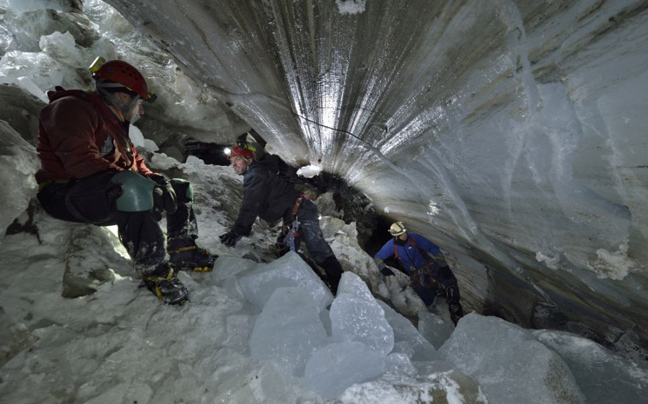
<point>182,232</point>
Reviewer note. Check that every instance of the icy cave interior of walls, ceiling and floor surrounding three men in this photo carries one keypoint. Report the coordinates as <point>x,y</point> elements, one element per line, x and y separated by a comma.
<point>507,131</point>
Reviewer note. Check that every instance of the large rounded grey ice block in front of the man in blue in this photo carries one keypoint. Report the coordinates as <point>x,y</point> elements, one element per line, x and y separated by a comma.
<point>509,363</point>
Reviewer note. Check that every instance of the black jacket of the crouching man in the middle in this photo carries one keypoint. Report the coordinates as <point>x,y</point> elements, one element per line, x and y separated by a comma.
<point>265,195</point>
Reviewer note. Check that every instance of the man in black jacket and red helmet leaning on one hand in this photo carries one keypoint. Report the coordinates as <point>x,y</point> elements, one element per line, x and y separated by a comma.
<point>270,197</point>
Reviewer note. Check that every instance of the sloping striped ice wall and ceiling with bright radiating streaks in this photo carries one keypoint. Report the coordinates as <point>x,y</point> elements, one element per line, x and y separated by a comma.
<point>513,133</point>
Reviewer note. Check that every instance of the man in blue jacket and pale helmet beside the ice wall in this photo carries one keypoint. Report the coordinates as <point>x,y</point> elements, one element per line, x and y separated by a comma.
<point>423,261</point>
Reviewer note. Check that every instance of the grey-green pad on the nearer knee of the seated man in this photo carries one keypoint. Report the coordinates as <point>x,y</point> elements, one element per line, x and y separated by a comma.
<point>137,192</point>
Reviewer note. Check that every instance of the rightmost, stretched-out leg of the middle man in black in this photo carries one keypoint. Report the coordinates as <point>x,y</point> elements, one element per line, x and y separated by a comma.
<point>311,234</point>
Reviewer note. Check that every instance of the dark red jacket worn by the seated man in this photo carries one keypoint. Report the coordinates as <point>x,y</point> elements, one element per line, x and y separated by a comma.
<point>80,136</point>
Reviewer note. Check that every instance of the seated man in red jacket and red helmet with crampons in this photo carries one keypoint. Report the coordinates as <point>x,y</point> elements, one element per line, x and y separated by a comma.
<point>91,173</point>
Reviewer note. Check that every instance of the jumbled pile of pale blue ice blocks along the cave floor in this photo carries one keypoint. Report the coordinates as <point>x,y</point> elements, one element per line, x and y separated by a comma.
<point>357,347</point>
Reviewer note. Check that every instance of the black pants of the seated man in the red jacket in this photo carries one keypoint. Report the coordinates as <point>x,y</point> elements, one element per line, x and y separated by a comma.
<point>93,200</point>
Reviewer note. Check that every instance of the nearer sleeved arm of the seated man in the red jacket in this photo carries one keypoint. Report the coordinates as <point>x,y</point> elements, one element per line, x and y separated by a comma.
<point>71,126</point>
